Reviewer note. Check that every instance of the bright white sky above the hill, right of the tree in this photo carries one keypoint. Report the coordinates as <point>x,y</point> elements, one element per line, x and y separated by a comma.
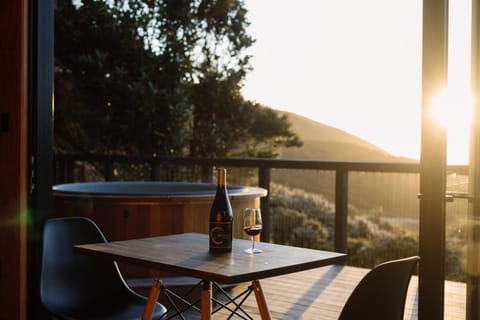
<point>354,65</point>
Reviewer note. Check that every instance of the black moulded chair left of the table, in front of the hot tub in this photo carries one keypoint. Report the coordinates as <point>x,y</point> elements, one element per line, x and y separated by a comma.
<point>75,286</point>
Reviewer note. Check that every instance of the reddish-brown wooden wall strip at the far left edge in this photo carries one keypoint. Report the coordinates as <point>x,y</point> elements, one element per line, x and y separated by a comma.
<point>13,158</point>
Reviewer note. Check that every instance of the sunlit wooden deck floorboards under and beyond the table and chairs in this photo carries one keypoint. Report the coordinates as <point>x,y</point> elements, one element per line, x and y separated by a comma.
<point>320,294</point>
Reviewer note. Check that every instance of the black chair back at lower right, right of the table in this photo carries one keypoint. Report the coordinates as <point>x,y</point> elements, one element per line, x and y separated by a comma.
<point>381,294</point>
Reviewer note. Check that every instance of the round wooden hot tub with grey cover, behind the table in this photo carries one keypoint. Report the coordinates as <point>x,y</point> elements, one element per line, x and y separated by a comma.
<point>127,210</point>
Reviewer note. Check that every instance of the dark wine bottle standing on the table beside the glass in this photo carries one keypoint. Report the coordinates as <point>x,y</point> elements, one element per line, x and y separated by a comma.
<point>221,217</point>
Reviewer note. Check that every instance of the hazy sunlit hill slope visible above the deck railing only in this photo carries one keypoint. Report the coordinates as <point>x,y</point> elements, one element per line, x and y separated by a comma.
<point>324,142</point>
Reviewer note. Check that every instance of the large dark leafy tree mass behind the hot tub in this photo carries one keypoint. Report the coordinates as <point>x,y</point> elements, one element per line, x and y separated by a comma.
<point>158,77</point>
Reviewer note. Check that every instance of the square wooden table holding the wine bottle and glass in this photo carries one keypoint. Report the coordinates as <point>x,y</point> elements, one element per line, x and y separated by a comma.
<point>188,255</point>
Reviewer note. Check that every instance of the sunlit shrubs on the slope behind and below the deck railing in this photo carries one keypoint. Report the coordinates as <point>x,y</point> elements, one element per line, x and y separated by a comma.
<point>303,219</point>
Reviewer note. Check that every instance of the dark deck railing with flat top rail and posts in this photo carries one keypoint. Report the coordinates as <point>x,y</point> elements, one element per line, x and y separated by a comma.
<point>65,166</point>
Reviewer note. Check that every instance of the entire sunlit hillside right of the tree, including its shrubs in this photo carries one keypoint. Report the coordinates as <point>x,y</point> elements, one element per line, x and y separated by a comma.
<point>383,207</point>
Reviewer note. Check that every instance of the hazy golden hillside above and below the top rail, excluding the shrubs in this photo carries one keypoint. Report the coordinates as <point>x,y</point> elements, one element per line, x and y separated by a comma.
<point>395,194</point>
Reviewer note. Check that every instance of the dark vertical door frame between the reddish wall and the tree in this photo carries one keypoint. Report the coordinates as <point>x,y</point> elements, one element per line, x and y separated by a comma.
<point>40,135</point>
